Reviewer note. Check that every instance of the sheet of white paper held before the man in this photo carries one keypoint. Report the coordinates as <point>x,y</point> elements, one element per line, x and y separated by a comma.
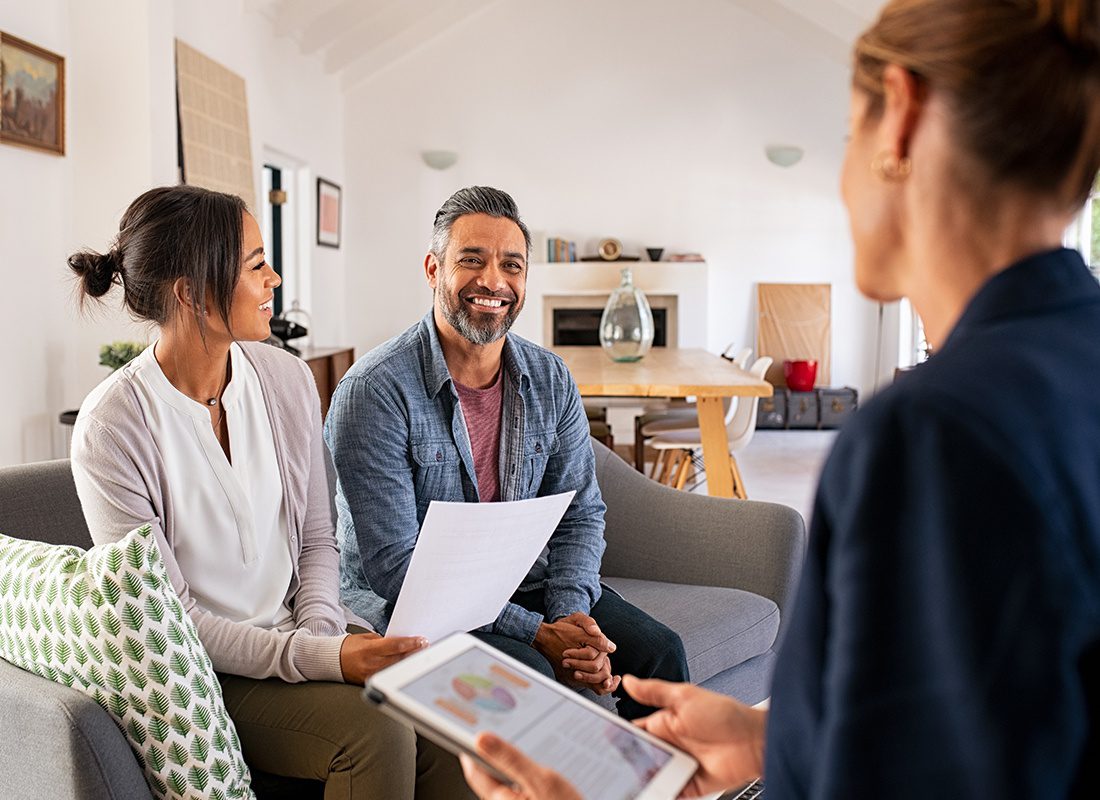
<point>469,561</point>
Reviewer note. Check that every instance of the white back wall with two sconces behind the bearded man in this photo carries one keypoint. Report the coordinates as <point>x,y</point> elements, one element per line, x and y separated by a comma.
<point>646,123</point>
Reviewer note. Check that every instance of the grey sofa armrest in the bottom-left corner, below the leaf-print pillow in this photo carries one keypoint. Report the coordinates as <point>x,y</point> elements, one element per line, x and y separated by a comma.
<point>57,742</point>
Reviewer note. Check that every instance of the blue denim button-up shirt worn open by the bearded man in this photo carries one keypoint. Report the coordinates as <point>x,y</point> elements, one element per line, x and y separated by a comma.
<point>399,441</point>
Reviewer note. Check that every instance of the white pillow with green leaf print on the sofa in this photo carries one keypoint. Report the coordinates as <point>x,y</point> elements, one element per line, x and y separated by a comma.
<point>108,623</point>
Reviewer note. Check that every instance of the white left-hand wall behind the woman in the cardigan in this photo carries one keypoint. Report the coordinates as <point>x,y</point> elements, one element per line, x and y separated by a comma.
<point>122,141</point>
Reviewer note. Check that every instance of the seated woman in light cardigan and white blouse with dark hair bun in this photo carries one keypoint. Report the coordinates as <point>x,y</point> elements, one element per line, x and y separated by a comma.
<point>215,440</point>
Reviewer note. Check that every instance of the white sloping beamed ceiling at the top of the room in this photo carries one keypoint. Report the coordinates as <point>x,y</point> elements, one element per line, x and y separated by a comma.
<point>357,39</point>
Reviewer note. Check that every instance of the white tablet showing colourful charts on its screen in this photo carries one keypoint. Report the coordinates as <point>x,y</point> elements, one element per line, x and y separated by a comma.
<point>460,688</point>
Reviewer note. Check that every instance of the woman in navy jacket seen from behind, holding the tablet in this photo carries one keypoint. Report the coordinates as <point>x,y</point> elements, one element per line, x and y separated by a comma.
<point>945,641</point>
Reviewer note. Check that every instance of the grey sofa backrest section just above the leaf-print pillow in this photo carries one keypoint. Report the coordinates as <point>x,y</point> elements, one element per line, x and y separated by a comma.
<point>39,502</point>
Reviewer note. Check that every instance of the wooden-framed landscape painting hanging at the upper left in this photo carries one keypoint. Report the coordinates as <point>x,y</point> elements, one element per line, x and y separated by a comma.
<point>32,96</point>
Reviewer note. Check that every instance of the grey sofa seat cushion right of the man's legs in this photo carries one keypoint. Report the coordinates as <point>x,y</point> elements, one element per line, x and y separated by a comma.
<point>720,628</point>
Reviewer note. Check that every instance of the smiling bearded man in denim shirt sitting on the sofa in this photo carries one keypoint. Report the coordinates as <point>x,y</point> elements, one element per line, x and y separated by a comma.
<point>457,409</point>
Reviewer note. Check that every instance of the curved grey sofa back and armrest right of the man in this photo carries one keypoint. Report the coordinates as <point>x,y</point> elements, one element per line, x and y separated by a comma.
<point>661,534</point>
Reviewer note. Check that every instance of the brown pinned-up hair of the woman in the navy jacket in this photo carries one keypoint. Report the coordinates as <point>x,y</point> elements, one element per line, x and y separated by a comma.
<point>1022,79</point>
